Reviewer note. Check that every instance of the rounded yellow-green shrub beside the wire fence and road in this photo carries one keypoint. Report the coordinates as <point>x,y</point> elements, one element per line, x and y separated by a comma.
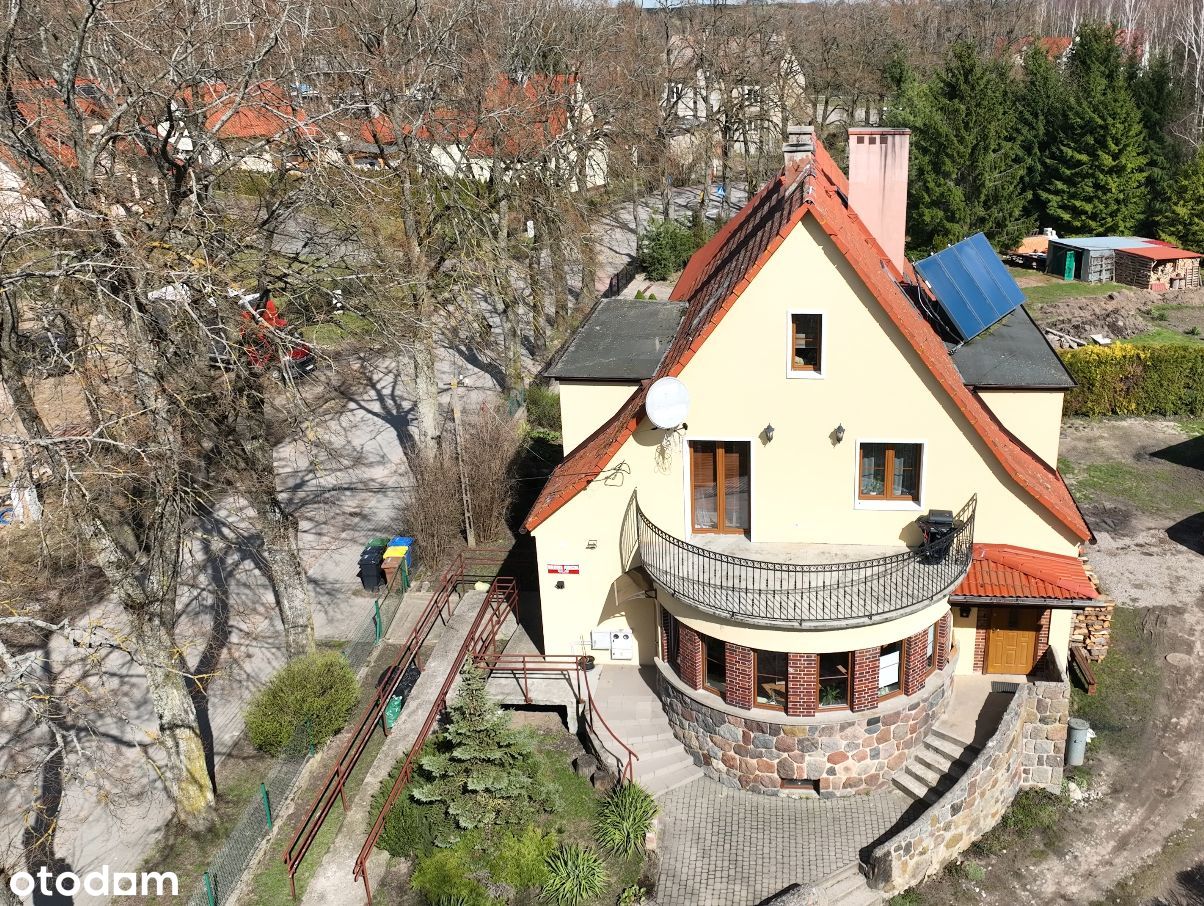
<point>318,689</point>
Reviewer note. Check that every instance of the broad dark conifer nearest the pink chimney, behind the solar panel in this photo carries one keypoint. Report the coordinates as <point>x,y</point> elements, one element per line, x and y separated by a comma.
<point>967,167</point>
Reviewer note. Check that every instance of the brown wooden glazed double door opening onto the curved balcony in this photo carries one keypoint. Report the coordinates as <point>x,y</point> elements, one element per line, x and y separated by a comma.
<point>721,486</point>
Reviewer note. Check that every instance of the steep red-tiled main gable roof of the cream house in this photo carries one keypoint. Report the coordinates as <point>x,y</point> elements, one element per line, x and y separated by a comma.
<point>723,269</point>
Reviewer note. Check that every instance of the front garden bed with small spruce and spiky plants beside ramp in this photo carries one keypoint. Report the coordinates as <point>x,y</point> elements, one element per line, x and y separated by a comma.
<point>495,815</point>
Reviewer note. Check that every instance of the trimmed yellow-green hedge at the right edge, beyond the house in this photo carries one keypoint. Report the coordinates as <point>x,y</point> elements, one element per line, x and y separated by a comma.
<point>1124,380</point>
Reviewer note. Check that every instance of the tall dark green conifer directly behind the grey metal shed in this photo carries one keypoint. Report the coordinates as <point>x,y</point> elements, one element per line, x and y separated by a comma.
<point>1096,173</point>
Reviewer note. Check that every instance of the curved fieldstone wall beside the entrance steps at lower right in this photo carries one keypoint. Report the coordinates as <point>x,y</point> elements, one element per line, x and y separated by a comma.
<point>1028,750</point>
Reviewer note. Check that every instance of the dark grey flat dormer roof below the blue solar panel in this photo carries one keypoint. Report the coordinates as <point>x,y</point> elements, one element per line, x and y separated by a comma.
<point>1012,355</point>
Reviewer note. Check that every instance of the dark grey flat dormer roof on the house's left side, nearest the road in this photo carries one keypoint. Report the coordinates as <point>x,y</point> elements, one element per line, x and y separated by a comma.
<point>619,340</point>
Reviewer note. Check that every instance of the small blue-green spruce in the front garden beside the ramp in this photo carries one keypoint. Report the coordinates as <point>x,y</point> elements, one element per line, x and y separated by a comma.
<point>480,769</point>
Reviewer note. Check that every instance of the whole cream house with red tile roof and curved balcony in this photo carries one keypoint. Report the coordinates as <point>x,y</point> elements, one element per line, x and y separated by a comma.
<point>801,501</point>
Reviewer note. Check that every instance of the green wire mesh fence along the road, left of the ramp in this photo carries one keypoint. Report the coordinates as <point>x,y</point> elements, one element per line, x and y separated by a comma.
<point>227,868</point>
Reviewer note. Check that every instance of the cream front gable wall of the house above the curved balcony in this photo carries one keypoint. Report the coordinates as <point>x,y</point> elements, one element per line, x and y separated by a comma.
<point>804,484</point>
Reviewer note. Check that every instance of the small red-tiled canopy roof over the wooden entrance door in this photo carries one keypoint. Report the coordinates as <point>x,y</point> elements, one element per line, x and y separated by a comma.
<point>1008,572</point>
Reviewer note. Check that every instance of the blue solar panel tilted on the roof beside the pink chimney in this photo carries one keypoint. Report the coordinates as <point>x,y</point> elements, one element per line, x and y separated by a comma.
<point>972,286</point>
